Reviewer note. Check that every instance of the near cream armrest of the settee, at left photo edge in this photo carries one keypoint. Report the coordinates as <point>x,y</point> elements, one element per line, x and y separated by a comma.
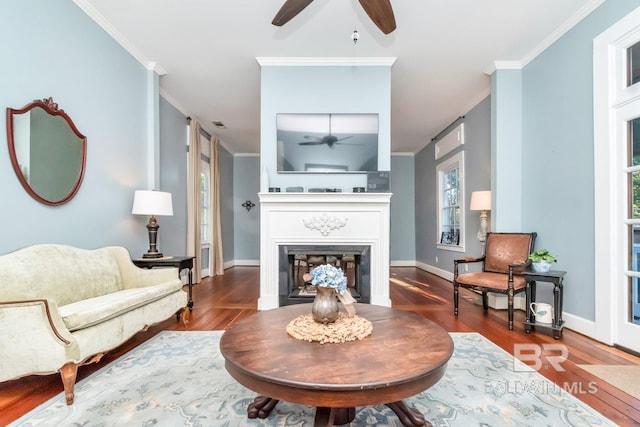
<point>34,338</point>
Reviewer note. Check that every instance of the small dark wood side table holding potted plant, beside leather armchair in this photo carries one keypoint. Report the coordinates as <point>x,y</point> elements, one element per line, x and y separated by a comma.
<point>551,276</point>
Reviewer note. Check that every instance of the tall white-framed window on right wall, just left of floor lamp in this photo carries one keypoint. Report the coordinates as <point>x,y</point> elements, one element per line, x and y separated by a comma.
<point>451,203</point>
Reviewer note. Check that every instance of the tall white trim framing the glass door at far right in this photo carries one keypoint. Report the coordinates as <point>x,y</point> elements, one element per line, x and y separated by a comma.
<point>609,95</point>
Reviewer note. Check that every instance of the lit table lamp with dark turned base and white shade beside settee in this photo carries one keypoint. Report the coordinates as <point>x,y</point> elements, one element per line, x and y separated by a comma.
<point>152,203</point>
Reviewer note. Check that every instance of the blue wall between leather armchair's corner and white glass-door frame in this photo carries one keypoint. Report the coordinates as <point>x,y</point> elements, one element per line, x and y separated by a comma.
<point>557,152</point>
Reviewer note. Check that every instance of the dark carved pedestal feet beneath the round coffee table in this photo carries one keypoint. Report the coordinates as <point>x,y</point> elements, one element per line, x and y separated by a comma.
<point>262,406</point>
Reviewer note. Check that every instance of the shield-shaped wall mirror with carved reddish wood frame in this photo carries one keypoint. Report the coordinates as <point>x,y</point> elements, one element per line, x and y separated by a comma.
<point>47,151</point>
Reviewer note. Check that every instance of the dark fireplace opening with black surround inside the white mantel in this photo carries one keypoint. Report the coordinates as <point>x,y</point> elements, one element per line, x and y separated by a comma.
<point>294,260</point>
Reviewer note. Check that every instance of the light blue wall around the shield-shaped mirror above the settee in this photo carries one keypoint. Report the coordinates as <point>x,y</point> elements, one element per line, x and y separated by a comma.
<point>52,48</point>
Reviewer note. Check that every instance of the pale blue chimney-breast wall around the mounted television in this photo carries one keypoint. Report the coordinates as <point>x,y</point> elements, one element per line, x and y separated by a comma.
<point>323,89</point>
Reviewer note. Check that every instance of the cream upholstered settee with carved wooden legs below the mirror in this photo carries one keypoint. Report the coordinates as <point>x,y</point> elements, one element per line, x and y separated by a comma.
<point>62,307</point>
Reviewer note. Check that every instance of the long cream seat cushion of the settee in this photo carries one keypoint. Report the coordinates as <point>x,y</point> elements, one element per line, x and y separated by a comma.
<point>89,312</point>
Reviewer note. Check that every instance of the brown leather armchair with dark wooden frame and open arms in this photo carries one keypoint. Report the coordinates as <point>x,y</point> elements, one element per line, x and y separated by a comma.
<point>505,259</point>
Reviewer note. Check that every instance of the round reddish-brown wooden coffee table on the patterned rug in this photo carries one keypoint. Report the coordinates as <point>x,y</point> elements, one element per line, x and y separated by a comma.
<point>404,355</point>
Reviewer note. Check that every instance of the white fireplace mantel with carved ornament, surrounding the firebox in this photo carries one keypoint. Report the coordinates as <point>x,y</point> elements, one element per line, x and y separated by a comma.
<point>324,219</point>
